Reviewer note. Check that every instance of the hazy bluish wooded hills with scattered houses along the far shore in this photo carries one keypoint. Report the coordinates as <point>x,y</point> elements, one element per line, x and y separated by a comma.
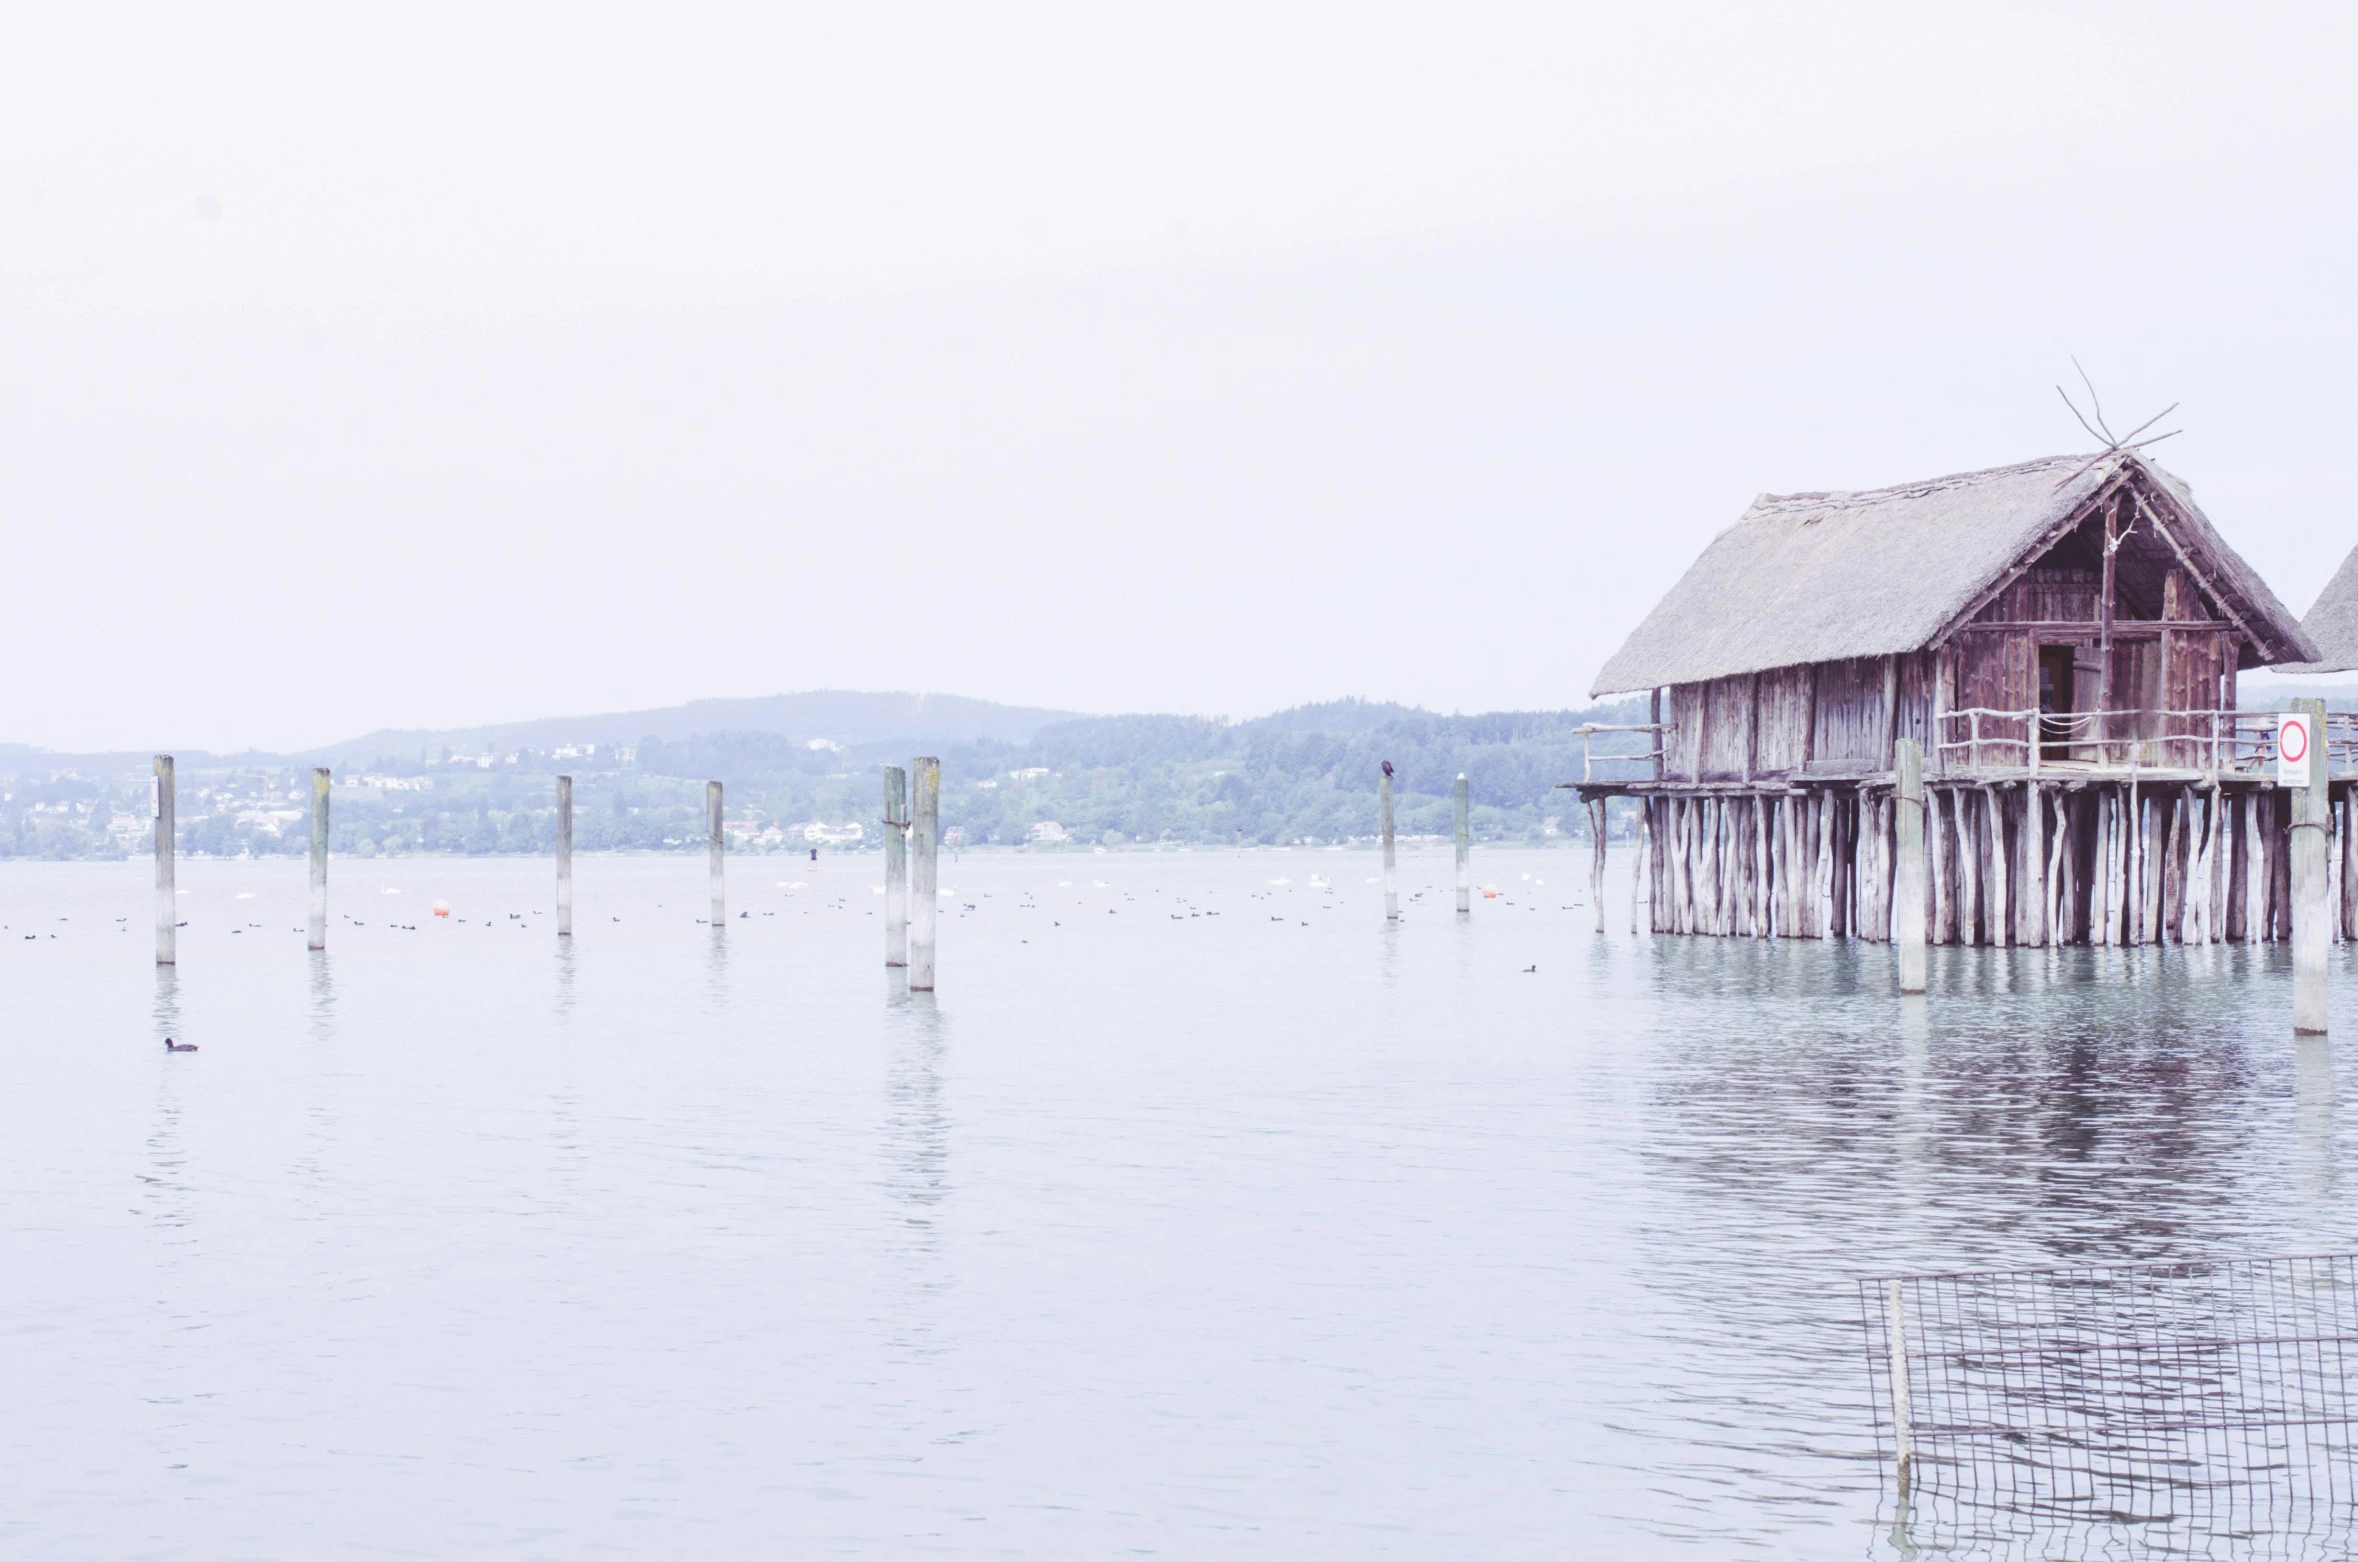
<point>801,770</point>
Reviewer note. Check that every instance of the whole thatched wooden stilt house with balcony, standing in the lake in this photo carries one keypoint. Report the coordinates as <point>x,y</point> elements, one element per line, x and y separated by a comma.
<point>2060,638</point>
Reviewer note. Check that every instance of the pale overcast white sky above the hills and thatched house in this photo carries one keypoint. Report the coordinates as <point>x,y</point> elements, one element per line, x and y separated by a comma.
<point>468,365</point>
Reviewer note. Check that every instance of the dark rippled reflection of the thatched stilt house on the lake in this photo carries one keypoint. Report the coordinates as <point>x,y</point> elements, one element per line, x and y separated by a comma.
<point>2038,1108</point>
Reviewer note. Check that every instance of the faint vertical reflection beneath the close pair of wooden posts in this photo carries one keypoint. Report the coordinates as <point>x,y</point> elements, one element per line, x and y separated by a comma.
<point>918,1169</point>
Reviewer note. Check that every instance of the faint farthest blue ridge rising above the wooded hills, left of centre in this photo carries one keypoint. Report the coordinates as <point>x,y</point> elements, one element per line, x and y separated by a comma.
<point>836,716</point>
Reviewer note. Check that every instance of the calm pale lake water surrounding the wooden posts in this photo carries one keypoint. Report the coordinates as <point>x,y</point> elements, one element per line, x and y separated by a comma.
<point>1201,1214</point>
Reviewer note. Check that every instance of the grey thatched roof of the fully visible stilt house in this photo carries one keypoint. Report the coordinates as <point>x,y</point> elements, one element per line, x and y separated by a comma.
<point>1822,577</point>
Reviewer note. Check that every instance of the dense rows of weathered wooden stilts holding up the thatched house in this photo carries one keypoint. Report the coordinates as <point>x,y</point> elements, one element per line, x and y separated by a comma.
<point>2008,862</point>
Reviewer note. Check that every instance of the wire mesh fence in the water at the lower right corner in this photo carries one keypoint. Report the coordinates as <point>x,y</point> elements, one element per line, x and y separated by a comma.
<point>2194,1398</point>
